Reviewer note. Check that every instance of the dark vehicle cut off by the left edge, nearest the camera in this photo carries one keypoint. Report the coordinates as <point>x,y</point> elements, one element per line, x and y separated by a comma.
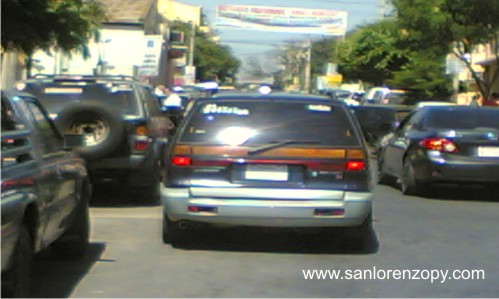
<point>45,191</point>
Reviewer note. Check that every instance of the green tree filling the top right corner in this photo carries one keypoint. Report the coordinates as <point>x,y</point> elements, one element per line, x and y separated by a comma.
<point>451,26</point>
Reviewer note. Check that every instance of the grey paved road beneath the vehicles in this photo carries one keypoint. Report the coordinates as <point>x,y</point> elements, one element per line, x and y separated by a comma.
<point>455,229</point>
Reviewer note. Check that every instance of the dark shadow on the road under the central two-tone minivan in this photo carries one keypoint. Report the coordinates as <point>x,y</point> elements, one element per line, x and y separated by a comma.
<point>271,240</point>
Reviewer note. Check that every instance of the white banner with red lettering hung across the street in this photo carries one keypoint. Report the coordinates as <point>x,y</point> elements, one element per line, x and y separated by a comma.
<point>282,19</point>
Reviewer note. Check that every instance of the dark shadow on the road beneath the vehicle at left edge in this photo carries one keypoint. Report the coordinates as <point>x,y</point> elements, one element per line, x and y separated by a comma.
<point>53,277</point>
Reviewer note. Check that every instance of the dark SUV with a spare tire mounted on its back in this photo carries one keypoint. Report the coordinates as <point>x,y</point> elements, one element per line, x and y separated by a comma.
<point>121,120</point>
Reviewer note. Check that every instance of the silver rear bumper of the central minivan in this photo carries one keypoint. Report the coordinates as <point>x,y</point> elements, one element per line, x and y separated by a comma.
<point>267,207</point>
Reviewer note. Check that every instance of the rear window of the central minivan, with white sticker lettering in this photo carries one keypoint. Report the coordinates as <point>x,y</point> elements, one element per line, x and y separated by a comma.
<point>258,122</point>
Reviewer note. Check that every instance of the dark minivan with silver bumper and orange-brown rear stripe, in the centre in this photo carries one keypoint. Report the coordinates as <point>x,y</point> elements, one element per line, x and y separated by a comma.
<point>289,161</point>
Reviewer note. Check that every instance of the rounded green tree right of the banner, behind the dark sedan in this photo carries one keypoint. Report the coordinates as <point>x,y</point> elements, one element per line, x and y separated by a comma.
<point>384,53</point>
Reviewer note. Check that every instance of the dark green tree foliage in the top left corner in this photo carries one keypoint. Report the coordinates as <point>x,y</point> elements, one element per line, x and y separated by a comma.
<point>28,25</point>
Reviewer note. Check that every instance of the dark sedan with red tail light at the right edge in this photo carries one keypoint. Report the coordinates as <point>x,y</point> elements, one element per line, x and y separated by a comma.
<point>443,144</point>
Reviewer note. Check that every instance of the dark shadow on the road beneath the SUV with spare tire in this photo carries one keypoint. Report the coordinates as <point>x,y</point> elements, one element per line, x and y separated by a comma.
<point>119,195</point>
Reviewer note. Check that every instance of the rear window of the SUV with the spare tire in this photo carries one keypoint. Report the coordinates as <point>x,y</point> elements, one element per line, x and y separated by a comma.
<point>56,97</point>
